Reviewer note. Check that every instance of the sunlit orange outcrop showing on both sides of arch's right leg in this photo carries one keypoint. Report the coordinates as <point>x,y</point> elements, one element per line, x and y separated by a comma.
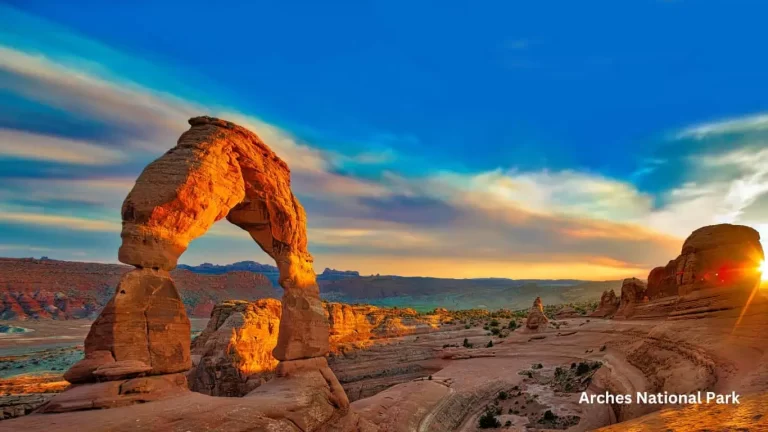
<point>233,355</point>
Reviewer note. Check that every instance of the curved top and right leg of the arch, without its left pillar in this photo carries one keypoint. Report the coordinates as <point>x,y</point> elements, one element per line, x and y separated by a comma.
<point>217,170</point>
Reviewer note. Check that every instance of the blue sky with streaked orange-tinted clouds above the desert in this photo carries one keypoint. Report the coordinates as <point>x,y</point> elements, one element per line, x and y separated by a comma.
<point>546,139</point>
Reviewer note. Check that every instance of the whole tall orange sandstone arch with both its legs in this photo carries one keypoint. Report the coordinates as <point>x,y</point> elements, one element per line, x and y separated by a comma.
<point>216,170</point>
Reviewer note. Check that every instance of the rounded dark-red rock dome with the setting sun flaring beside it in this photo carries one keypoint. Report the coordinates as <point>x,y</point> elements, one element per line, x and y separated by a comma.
<point>714,256</point>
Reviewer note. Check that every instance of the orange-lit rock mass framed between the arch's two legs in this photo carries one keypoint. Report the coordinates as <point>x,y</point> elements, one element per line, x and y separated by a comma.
<point>234,353</point>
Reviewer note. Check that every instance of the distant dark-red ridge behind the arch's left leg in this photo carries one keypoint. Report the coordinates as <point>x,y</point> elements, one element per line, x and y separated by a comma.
<point>50,289</point>
